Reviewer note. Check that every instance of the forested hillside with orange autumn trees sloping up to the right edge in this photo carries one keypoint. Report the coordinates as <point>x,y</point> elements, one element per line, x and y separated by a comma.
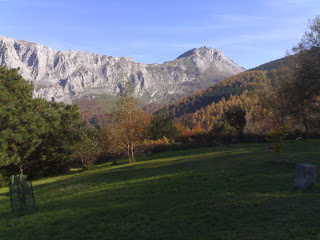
<point>280,94</point>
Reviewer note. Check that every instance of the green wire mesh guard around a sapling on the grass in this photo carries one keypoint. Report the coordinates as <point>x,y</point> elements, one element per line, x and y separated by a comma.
<point>21,194</point>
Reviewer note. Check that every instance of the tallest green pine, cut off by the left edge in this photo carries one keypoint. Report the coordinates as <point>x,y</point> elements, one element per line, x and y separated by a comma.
<point>21,127</point>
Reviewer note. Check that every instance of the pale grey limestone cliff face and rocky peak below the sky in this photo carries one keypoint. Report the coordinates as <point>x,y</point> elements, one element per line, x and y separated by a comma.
<point>69,75</point>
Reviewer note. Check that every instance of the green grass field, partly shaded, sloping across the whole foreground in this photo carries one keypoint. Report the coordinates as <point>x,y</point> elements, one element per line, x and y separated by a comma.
<point>227,192</point>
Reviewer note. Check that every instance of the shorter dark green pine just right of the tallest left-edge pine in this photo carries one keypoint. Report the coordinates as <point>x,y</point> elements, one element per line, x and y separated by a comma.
<point>53,155</point>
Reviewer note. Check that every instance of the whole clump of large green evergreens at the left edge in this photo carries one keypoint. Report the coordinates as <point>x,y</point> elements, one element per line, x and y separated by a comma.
<point>33,132</point>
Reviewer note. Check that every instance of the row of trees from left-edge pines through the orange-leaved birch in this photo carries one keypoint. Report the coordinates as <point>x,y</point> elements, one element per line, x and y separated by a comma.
<point>41,138</point>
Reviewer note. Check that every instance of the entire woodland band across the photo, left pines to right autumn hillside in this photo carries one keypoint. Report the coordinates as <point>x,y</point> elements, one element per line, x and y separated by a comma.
<point>282,99</point>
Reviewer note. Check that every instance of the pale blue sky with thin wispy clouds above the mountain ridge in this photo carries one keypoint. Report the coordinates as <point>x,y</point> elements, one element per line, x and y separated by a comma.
<point>250,33</point>
